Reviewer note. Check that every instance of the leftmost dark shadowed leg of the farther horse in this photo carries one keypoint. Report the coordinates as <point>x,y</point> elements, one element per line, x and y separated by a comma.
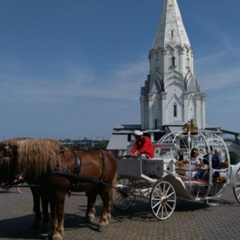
<point>36,208</point>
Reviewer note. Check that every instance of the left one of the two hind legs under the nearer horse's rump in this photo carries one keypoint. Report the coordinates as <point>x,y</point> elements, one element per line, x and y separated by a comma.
<point>91,206</point>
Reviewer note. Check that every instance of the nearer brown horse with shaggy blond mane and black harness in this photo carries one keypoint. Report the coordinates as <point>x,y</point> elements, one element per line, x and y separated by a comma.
<point>62,170</point>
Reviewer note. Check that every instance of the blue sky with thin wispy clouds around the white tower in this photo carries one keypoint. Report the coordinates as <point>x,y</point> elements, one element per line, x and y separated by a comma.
<point>75,68</point>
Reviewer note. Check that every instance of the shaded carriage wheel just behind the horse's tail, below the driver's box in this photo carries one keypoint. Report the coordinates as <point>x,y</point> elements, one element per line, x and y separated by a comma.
<point>124,197</point>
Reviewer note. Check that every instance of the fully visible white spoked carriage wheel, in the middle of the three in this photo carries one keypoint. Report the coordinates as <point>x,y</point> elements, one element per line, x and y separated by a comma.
<point>163,200</point>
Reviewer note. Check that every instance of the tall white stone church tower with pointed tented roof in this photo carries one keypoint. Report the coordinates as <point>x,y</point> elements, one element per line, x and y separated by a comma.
<point>171,94</point>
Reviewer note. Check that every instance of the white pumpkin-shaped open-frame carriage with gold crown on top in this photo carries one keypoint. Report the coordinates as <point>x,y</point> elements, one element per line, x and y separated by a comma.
<point>164,178</point>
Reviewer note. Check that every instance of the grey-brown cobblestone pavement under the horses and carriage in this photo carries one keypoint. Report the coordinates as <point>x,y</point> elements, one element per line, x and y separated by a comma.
<point>191,220</point>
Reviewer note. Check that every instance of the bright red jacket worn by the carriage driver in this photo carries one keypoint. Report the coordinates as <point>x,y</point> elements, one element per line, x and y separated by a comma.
<point>144,145</point>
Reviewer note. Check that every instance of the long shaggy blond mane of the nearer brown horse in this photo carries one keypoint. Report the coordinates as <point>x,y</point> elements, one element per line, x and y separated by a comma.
<point>37,156</point>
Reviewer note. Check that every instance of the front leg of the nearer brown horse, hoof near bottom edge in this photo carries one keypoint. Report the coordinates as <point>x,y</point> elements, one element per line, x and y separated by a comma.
<point>56,199</point>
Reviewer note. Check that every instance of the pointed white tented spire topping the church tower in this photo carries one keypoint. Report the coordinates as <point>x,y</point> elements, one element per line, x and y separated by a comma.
<point>171,30</point>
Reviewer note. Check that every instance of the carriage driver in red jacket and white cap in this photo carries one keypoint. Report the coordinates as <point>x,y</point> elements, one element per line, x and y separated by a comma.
<point>143,146</point>
